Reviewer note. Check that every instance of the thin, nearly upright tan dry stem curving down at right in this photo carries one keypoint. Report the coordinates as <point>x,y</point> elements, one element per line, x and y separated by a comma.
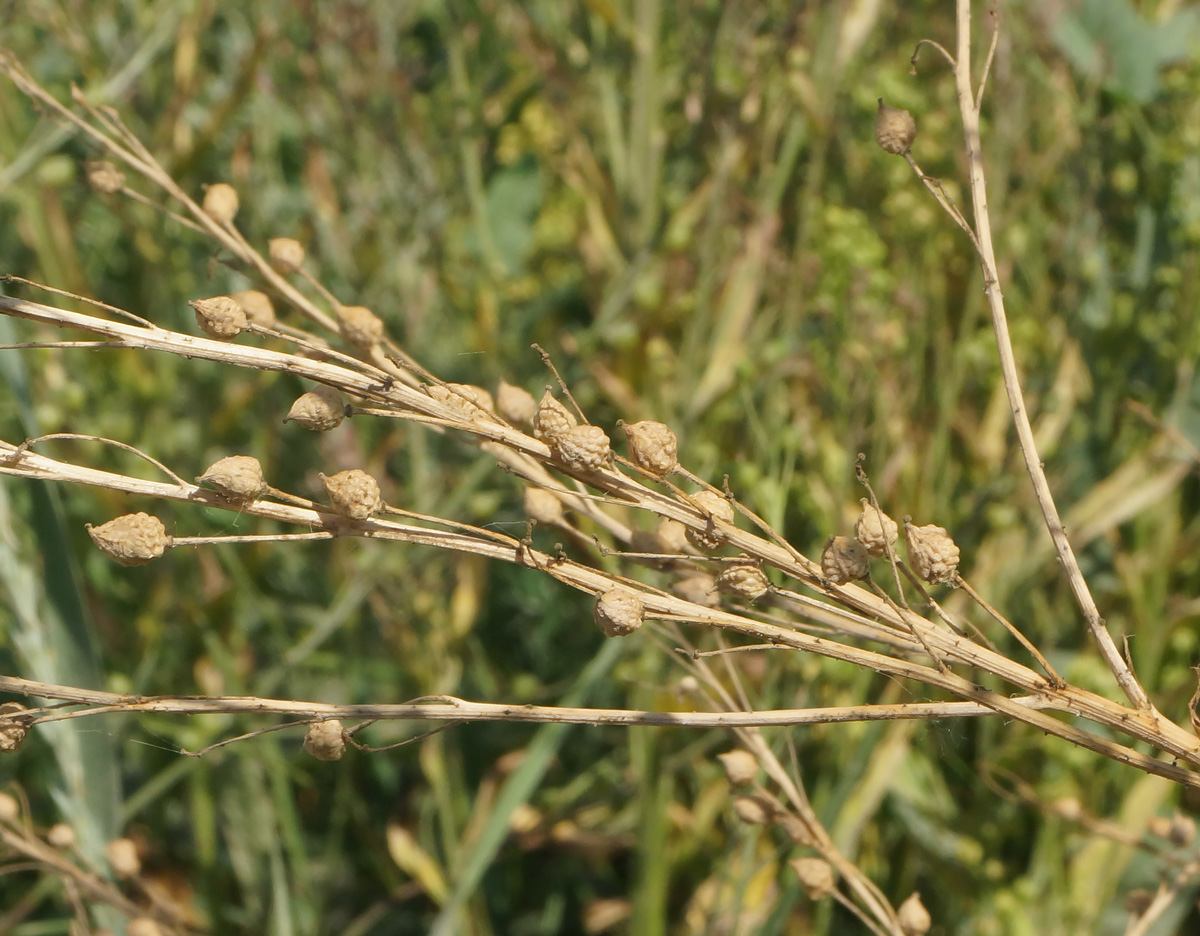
<point>970,111</point>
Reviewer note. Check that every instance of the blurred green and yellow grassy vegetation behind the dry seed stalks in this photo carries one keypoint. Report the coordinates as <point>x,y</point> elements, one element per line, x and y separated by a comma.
<point>685,203</point>
